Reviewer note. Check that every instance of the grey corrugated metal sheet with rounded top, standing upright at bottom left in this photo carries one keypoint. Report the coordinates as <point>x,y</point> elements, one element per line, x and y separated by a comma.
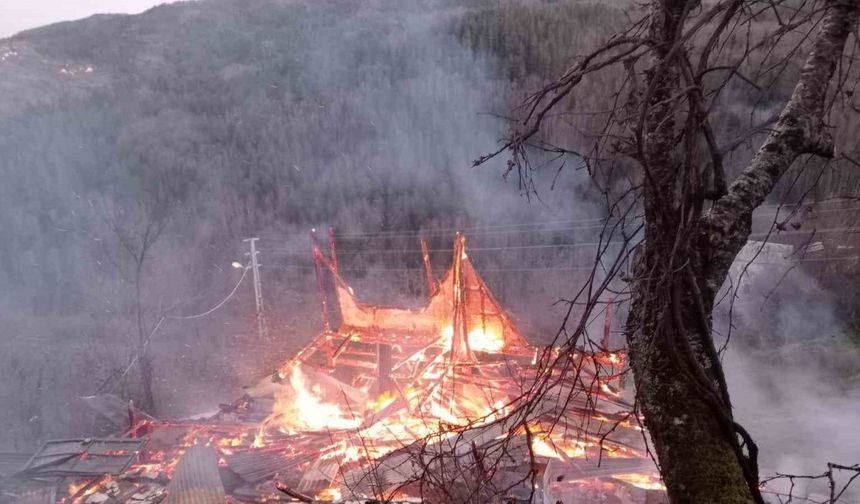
<point>196,480</point>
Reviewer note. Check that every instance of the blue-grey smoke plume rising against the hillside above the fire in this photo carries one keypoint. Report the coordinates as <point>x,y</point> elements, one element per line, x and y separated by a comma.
<point>424,108</point>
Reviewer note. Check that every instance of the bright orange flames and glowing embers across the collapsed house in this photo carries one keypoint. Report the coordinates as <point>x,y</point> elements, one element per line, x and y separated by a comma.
<point>329,422</point>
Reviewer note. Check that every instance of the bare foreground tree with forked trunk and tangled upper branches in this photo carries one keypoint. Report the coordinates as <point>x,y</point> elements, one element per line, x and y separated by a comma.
<point>704,455</point>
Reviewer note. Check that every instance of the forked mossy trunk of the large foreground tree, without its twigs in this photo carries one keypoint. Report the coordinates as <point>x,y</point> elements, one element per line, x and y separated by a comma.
<point>685,258</point>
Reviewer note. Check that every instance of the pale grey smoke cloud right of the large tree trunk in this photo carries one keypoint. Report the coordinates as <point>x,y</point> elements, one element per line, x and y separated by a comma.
<point>791,368</point>
